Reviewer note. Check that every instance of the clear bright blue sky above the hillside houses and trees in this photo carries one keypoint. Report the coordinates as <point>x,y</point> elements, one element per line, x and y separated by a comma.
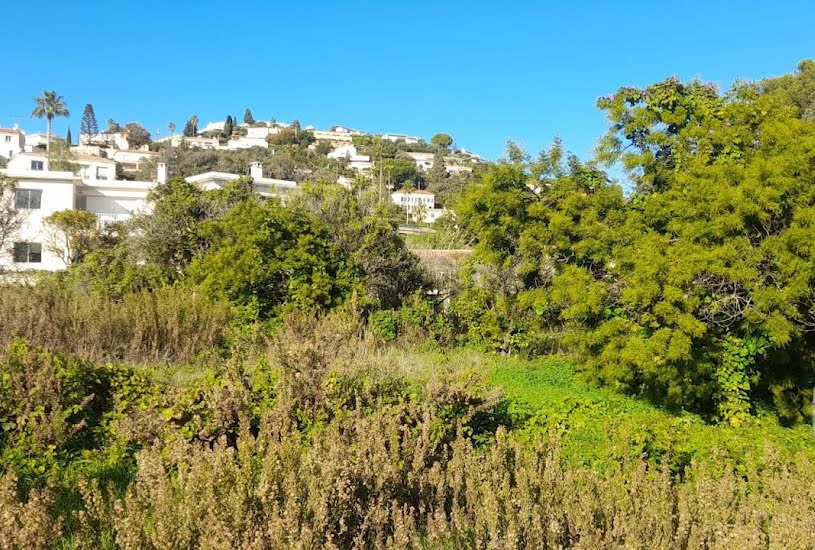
<point>483,72</point>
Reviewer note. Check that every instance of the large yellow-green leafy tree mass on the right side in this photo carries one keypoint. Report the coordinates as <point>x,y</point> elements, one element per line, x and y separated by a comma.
<point>653,290</point>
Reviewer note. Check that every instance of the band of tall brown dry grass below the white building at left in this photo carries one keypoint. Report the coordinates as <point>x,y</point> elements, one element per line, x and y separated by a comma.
<point>168,324</point>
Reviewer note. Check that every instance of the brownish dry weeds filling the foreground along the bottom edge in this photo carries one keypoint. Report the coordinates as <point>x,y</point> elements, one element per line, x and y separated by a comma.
<point>370,482</point>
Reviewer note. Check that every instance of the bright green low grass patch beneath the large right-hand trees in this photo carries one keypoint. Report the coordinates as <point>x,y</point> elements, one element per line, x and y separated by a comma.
<point>600,428</point>
